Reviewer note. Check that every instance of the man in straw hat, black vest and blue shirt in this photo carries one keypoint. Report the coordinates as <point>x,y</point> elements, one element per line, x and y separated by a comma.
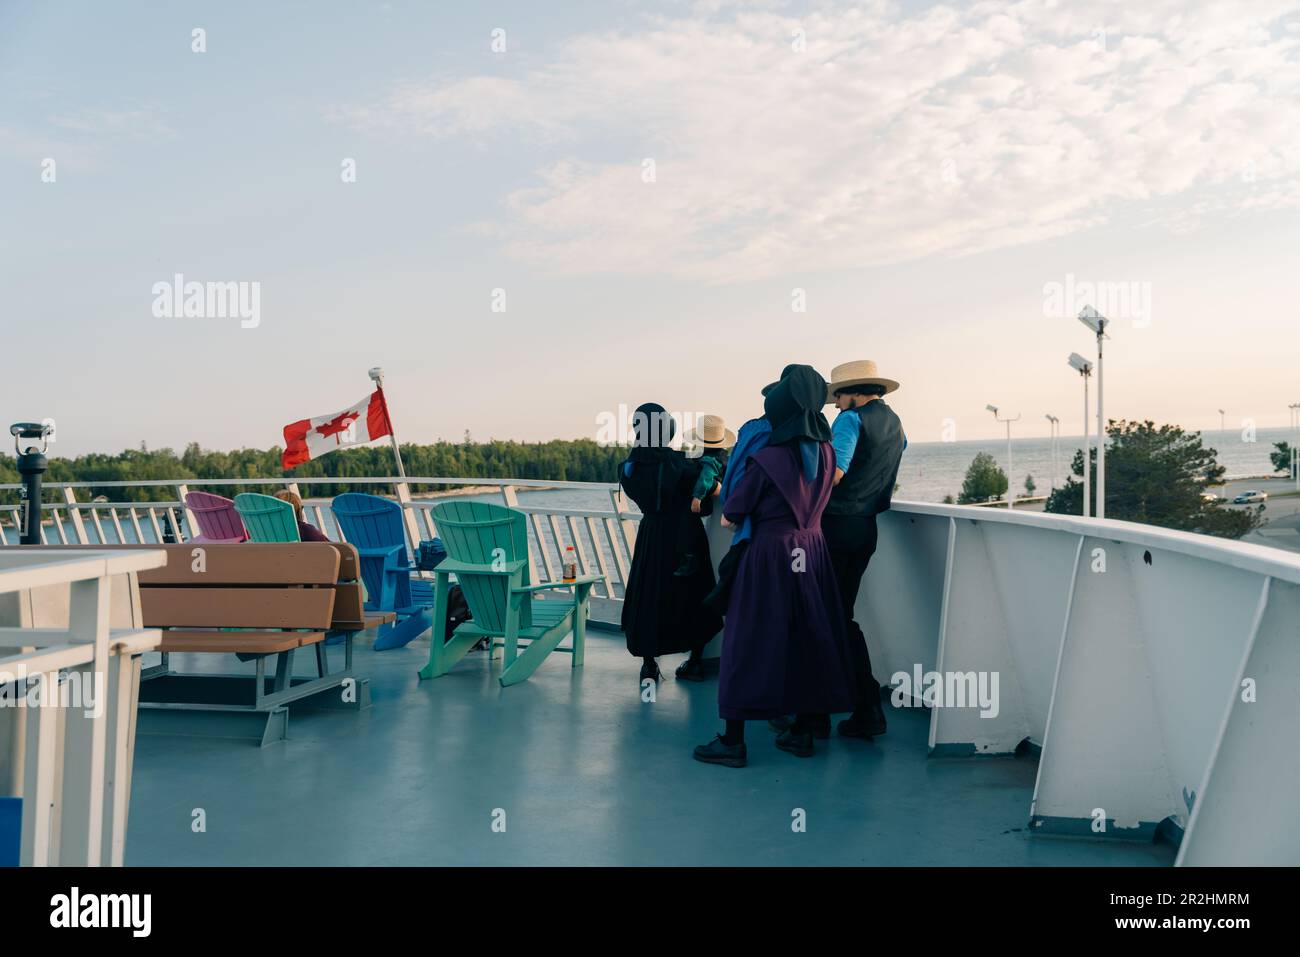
<point>869,441</point>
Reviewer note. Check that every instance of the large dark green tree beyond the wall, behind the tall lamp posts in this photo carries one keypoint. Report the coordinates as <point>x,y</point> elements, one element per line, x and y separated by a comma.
<point>1158,475</point>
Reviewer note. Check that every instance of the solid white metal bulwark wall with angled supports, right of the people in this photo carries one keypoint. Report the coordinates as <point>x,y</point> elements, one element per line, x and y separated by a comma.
<point>1156,670</point>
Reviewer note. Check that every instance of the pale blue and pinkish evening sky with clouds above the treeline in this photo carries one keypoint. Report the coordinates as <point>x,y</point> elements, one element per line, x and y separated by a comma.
<point>531,215</point>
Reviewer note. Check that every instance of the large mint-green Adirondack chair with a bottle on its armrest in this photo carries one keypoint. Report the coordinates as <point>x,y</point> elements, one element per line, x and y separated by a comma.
<point>488,553</point>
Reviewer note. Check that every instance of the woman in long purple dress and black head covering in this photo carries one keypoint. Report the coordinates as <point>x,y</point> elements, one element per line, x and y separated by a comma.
<point>786,648</point>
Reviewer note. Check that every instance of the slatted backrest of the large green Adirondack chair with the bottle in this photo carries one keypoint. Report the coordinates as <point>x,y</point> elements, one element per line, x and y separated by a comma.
<point>482,534</point>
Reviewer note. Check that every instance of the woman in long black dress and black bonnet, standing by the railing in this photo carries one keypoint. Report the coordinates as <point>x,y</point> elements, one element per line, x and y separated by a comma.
<point>662,612</point>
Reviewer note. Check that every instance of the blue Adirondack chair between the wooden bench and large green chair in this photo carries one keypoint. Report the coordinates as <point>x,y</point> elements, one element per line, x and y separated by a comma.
<point>375,527</point>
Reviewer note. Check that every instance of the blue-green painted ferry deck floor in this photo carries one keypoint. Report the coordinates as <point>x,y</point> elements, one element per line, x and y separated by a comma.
<point>580,772</point>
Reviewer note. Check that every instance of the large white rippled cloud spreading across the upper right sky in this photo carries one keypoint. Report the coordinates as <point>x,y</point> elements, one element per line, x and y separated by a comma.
<point>861,136</point>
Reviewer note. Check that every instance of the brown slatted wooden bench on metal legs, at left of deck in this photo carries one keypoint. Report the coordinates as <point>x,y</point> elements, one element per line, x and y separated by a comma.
<point>257,601</point>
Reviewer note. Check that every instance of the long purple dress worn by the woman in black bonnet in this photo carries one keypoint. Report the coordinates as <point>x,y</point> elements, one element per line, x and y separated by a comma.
<point>786,648</point>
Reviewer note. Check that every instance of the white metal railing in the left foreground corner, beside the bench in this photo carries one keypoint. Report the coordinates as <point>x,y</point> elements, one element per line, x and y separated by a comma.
<point>71,685</point>
